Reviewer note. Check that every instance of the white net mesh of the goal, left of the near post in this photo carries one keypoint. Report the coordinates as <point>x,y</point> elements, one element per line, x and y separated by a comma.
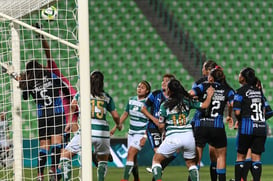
<point>64,26</point>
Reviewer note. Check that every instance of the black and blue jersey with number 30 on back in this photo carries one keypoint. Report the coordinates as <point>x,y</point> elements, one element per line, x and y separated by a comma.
<point>250,101</point>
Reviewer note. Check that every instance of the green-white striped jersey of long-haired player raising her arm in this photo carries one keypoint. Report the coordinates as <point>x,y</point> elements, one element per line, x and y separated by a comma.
<point>177,122</point>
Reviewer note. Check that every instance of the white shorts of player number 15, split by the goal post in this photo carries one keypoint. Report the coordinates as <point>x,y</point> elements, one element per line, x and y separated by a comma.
<point>101,145</point>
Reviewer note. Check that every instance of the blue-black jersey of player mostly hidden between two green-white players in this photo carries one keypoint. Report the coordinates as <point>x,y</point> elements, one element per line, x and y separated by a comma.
<point>153,102</point>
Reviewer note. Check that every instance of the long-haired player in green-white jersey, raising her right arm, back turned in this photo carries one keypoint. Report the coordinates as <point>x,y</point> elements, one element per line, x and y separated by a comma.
<point>173,119</point>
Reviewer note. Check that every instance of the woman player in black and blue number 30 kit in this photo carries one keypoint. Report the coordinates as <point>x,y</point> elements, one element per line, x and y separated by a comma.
<point>249,108</point>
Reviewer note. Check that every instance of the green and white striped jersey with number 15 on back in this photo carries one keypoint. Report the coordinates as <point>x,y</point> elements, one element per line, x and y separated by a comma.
<point>99,108</point>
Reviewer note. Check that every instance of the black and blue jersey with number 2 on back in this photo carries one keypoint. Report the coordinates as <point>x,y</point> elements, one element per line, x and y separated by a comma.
<point>213,115</point>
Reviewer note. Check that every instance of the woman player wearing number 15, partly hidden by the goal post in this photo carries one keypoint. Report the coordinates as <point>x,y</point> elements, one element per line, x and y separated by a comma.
<point>101,102</point>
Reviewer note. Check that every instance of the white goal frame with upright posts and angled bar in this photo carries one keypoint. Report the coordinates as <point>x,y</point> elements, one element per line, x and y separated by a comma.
<point>12,12</point>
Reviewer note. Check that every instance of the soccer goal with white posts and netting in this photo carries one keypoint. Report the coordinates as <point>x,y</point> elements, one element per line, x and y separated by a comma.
<point>51,33</point>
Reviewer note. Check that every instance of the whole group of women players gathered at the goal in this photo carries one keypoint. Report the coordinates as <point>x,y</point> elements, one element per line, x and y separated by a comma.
<point>160,116</point>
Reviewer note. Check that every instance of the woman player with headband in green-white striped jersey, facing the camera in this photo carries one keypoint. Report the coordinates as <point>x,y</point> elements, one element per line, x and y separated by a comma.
<point>136,134</point>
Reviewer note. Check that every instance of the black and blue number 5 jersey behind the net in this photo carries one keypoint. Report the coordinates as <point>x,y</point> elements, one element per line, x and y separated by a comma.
<point>46,93</point>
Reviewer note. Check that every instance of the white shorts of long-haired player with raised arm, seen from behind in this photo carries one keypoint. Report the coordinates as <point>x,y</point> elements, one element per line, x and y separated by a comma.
<point>179,142</point>
